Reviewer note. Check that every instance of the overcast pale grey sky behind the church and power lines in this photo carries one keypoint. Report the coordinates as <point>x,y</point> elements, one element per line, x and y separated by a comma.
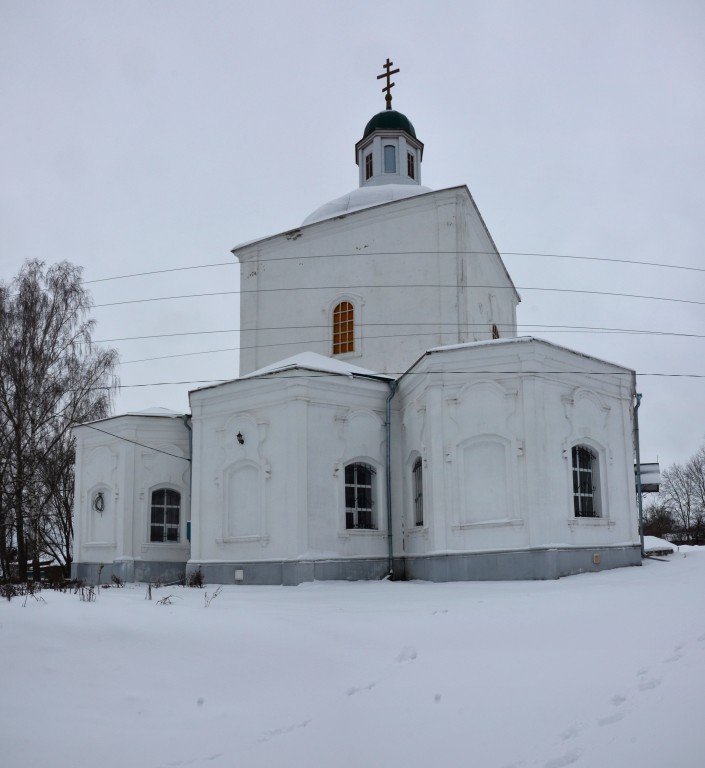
<point>140,135</point>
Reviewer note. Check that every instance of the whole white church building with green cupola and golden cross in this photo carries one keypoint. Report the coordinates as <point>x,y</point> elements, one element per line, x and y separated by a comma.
<point>387,419</point>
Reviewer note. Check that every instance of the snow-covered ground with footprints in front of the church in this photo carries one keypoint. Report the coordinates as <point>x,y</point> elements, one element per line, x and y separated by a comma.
<point>602,669</point>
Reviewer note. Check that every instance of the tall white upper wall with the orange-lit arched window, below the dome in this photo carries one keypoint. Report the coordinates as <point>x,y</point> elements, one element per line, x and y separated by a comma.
<point>405,266</point>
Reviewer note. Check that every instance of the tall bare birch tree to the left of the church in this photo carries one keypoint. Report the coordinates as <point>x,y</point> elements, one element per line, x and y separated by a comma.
<point>51,377</point>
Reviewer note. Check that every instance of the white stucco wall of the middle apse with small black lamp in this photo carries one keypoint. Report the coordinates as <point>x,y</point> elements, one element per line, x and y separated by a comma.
<point>285,481</point>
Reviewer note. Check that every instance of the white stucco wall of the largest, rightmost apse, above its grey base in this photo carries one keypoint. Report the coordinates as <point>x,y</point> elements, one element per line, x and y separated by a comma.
<point>496,448</point>
